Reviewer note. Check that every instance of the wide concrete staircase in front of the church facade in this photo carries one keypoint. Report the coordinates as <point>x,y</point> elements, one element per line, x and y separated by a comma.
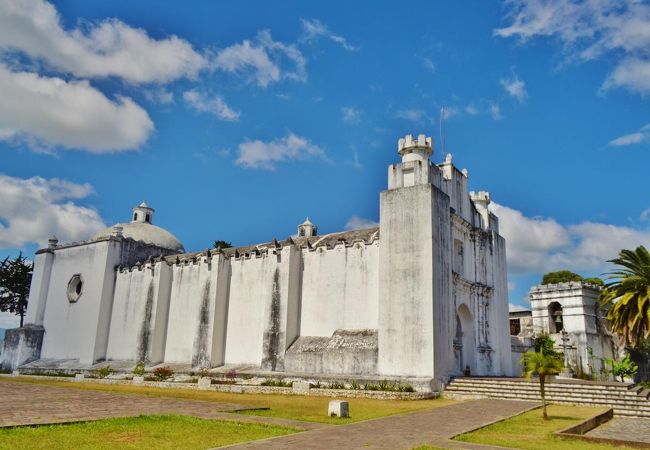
<point>625,399</point>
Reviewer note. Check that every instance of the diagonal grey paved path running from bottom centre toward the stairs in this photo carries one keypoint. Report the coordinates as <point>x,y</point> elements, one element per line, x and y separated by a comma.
<point>433,427</point>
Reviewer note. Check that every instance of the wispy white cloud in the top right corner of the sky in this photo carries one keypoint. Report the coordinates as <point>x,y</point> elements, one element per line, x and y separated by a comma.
<point>589,29</point>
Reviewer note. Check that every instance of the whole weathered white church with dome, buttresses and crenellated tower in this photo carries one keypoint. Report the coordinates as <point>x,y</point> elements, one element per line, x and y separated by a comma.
<point>423,295</point>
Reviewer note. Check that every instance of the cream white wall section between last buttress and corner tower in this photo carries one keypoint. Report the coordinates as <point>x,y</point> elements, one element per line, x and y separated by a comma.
<point>340,289</point>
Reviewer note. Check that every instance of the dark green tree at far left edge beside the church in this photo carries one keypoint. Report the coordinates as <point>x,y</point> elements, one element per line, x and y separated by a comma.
<point>15,280</point>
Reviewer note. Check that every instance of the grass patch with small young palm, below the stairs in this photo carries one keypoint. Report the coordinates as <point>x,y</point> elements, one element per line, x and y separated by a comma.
<point>531,431</point>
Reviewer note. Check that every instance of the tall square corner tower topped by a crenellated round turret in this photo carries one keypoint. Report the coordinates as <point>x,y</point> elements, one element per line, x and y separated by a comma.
<point>413,273</point>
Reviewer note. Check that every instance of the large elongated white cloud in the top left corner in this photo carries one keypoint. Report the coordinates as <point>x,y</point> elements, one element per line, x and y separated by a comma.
<point>105,49</point>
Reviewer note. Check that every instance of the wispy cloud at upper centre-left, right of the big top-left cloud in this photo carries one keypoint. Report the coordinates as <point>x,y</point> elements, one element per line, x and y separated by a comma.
<point>264,57</point>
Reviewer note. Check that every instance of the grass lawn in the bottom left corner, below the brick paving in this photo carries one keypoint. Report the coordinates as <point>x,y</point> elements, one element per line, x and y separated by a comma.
<point>157,432</point>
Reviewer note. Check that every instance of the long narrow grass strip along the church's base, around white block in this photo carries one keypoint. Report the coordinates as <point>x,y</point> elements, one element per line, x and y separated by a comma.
<point>297,407</point>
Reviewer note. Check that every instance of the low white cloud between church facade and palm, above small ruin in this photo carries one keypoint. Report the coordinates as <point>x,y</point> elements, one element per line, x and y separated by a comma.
<point>535,245</point>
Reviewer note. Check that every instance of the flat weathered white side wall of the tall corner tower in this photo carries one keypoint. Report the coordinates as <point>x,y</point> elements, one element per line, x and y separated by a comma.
<point>406,279</point>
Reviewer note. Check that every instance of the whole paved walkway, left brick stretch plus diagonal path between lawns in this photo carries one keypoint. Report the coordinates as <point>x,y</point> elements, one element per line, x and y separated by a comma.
<point>32,404</point>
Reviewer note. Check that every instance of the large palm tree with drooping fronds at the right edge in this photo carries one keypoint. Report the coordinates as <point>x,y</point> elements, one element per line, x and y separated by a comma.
<point>627,298</point>
